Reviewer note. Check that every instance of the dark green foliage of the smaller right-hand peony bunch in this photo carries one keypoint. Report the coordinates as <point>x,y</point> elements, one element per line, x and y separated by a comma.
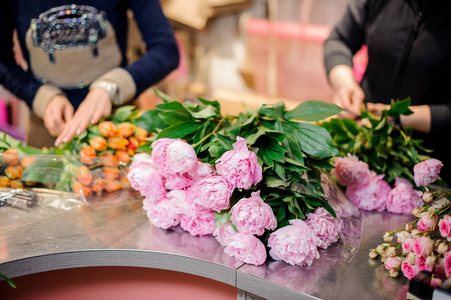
<point>387,149</point>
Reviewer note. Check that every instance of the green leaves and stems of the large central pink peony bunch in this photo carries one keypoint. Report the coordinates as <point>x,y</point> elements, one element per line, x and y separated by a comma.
<point>292,152</point>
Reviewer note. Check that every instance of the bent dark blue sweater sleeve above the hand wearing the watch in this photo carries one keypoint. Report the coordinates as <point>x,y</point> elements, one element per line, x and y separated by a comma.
<point>162,54</point>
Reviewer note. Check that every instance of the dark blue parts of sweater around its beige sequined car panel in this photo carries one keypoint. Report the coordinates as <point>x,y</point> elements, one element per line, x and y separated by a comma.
<point>161,56</point>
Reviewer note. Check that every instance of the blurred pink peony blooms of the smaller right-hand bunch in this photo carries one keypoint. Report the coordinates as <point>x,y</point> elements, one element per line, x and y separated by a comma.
<point>369,191</point>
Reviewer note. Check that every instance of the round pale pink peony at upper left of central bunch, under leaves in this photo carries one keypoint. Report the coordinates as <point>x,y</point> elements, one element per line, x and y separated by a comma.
<point>181,157</point>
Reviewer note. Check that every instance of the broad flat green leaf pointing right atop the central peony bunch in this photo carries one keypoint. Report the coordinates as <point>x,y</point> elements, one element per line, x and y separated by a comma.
<point>312,111</point>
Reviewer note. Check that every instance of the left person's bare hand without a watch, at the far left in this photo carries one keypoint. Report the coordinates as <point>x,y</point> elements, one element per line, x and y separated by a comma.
<point>58,112</point>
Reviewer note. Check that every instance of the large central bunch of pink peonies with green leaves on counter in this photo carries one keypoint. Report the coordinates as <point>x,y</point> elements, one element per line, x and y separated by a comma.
<point>252,180</point>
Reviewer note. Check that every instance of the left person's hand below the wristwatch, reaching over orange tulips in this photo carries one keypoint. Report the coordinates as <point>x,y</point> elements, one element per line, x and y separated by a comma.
<point>96,105</point>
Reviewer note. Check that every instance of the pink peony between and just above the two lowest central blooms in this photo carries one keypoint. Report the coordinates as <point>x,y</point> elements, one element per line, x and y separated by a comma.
<point>252,215</point>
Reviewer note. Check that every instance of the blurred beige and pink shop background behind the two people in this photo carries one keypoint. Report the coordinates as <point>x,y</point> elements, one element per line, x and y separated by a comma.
<point>234,51</point>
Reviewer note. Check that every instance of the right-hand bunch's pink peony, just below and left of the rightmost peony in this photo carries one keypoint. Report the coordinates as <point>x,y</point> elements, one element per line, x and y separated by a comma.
<point>403,198</point>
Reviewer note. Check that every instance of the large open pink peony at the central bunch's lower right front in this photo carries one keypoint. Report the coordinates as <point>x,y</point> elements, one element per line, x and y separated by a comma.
<point>295,244</point>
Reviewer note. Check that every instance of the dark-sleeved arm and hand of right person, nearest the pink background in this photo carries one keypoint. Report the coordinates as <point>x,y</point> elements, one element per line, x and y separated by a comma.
<point>346,38</point>
